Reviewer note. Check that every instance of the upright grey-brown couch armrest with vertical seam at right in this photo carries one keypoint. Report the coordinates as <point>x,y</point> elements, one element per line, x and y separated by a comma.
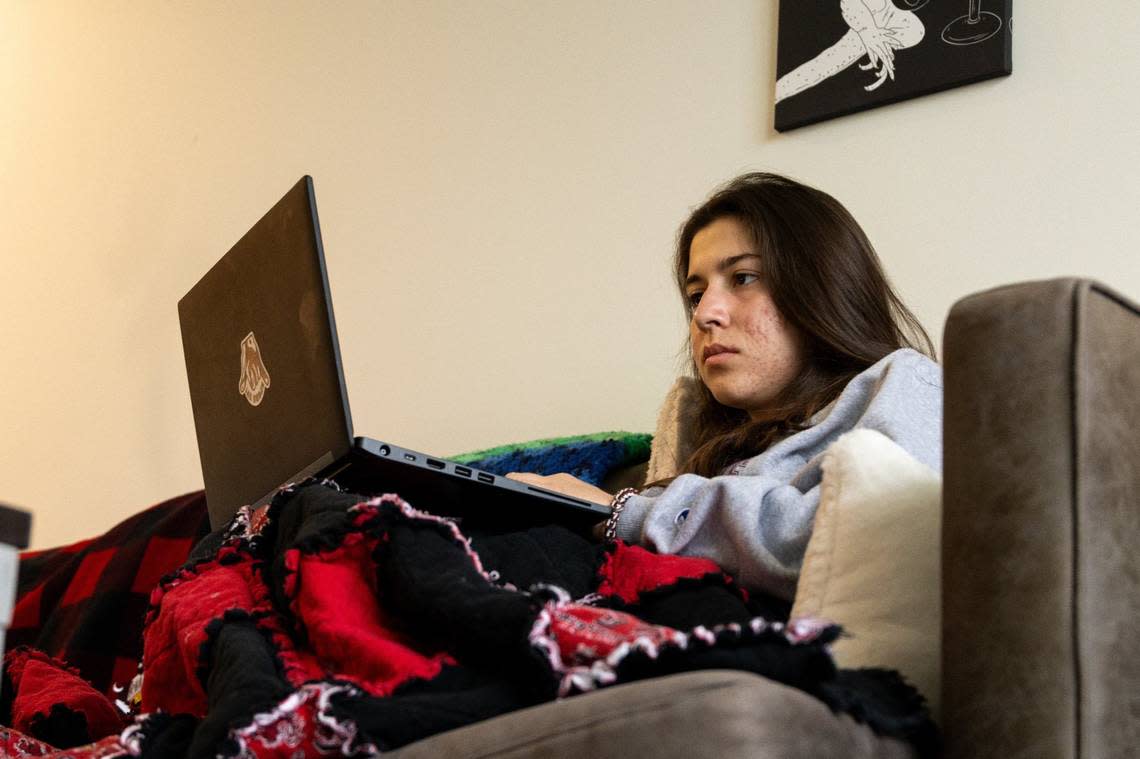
<point>1041,568</point>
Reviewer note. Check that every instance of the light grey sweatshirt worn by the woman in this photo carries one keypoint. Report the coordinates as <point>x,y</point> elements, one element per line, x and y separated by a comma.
<point>755,520</point>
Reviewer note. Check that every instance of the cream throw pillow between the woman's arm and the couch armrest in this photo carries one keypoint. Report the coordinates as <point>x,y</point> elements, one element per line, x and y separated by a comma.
<point>874,561</point>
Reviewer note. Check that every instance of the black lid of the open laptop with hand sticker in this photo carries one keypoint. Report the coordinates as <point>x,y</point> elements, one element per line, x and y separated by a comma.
<point>264,363</point>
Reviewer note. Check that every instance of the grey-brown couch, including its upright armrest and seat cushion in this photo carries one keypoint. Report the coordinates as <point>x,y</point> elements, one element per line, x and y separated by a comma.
<point>1040,578</point>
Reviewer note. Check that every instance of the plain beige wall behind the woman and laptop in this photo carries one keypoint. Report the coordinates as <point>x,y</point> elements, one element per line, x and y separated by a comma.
<point>500,184</point>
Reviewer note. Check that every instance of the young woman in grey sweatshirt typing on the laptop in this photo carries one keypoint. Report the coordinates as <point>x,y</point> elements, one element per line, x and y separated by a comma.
<point>796,338</point>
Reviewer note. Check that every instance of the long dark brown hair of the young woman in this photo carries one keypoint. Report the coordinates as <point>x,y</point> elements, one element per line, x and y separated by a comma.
<point>827,282</point>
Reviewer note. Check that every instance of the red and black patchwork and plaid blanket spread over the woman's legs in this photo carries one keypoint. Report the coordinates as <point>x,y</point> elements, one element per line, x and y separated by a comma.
<point>348,626</point>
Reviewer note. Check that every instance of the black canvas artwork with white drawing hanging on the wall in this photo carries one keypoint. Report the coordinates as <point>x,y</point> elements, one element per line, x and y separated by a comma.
<point>837,58</point>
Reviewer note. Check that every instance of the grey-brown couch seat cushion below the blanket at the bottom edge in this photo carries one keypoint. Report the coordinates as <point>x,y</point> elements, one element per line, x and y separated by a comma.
<point>710,714</point>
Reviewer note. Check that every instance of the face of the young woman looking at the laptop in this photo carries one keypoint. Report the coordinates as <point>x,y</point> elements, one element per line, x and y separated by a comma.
<point>745,352</point>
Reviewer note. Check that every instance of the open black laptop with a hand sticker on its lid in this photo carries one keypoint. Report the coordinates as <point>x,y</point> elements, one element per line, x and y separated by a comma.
<point>271,406</point>
